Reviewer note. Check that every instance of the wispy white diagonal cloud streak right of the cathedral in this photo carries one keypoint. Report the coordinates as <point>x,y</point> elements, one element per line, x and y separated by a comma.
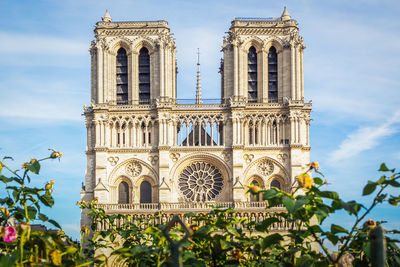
<point>365,138</point>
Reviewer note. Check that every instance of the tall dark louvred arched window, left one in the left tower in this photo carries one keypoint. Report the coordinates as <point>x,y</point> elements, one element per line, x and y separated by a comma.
<point>122,77</point>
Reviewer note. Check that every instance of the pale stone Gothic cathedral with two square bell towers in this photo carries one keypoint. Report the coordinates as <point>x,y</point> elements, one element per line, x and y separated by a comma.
<point>147,151</point>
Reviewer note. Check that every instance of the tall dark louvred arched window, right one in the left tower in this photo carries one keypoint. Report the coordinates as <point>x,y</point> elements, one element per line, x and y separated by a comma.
<point>144,76</point>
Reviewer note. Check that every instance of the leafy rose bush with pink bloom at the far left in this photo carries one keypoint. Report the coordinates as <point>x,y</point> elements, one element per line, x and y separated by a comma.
<point>22,204</point>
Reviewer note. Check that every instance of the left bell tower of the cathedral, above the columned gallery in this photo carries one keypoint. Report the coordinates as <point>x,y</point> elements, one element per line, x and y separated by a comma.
<point>132,62</point>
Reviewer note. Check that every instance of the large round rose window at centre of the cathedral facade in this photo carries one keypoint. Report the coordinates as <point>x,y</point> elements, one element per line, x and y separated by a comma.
<point>200,181</point>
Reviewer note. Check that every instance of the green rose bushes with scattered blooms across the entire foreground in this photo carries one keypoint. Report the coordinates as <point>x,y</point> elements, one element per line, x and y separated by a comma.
<point>214,239</point>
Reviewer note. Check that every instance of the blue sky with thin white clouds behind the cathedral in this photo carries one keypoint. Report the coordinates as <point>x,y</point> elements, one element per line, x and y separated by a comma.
<point>351,73</point>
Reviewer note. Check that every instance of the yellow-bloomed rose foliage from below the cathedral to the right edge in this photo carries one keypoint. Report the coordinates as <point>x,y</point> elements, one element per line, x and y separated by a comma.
<point>220,239</point>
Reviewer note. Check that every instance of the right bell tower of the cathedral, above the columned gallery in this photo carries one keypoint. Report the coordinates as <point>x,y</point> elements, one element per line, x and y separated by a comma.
<point>263,60</point>
